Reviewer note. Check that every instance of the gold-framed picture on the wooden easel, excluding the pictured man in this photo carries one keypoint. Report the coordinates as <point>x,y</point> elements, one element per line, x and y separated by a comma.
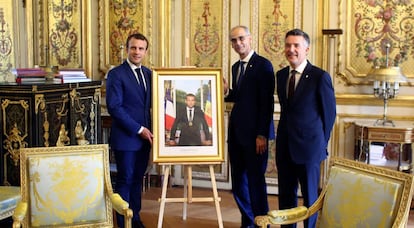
<point>170,85</point>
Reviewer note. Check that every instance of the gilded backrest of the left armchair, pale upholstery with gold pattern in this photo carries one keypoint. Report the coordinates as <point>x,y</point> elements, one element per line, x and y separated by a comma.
<point>66,186</point>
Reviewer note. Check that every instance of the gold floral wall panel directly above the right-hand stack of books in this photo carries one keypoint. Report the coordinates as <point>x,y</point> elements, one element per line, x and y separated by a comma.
<point>60,33</point>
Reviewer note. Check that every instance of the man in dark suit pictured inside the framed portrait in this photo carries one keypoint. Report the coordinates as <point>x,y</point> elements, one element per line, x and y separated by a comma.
<point>190,128</point>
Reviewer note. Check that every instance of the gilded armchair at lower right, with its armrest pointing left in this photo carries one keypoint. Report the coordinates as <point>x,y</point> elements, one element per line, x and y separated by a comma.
<point>356,195</point>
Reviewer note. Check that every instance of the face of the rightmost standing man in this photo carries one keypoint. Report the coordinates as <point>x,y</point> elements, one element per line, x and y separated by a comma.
<point>296,50</point>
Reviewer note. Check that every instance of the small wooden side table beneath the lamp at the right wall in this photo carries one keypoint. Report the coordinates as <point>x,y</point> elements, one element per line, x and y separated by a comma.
<point>366,133</point>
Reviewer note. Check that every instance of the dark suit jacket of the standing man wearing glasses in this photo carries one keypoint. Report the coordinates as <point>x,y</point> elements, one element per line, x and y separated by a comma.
<point>253,108</point>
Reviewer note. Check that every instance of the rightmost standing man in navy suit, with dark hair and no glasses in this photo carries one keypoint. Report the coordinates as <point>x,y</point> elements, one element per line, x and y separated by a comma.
<point>308,111</point>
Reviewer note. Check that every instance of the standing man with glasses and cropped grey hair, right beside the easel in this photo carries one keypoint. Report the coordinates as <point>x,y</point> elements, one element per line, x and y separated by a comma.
<point>253,84</point>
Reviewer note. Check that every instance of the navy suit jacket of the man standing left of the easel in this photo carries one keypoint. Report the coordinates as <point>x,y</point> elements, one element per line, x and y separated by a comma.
<point>129,106</point>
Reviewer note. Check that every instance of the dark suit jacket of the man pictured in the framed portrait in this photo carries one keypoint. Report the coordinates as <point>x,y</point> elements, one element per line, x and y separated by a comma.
<point>190,134</point>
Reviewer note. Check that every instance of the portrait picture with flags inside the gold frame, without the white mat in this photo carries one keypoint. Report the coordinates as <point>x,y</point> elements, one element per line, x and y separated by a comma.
<point>188,123</point>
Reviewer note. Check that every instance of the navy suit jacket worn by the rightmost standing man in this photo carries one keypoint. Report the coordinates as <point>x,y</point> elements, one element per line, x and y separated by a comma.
<point>306,119</point>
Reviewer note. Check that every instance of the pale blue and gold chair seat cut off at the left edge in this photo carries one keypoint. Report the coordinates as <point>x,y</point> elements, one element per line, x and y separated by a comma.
<point>9,196</point>
